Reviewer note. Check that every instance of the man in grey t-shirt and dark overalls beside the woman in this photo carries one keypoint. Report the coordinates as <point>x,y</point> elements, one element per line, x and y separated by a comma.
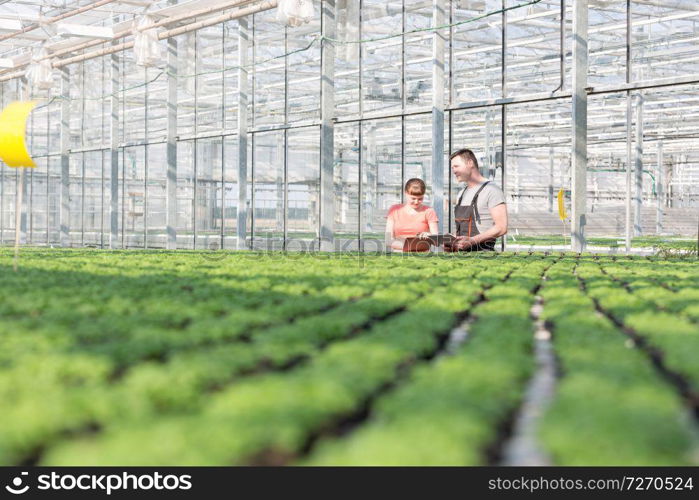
<point>480,212</point>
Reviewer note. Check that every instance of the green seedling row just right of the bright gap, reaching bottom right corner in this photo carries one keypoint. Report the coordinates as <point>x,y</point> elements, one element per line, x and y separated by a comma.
<point>611,407</point>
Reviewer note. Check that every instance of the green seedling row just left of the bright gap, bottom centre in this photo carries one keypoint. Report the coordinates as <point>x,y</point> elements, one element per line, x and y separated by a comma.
<point>453,411</point>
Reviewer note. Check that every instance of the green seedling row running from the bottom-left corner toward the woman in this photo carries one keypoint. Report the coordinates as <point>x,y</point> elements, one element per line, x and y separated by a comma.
<point>75,388</point>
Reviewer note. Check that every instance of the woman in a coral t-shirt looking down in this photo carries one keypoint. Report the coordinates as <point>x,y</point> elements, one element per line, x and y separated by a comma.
<point>412,218</point>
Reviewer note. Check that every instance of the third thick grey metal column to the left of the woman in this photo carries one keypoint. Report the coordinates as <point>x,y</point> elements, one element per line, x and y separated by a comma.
<point>171,179</point>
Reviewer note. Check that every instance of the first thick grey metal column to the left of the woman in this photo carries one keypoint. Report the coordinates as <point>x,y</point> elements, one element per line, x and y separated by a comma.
<point>327,110</point>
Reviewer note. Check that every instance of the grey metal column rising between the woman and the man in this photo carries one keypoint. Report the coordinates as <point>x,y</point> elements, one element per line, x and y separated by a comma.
<point>438,17</point>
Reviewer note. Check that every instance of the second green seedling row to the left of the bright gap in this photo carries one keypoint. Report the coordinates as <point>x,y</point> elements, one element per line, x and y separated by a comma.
<point>271,417</point>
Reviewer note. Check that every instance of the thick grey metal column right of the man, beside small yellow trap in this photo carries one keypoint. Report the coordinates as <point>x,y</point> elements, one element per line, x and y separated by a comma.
<point>579,174</point>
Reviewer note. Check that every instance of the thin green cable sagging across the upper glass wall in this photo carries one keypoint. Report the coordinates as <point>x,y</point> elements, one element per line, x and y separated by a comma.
<point>313,41</point>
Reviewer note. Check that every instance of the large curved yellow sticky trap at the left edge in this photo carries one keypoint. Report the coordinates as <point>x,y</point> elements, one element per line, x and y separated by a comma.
<point>13,126</point>
